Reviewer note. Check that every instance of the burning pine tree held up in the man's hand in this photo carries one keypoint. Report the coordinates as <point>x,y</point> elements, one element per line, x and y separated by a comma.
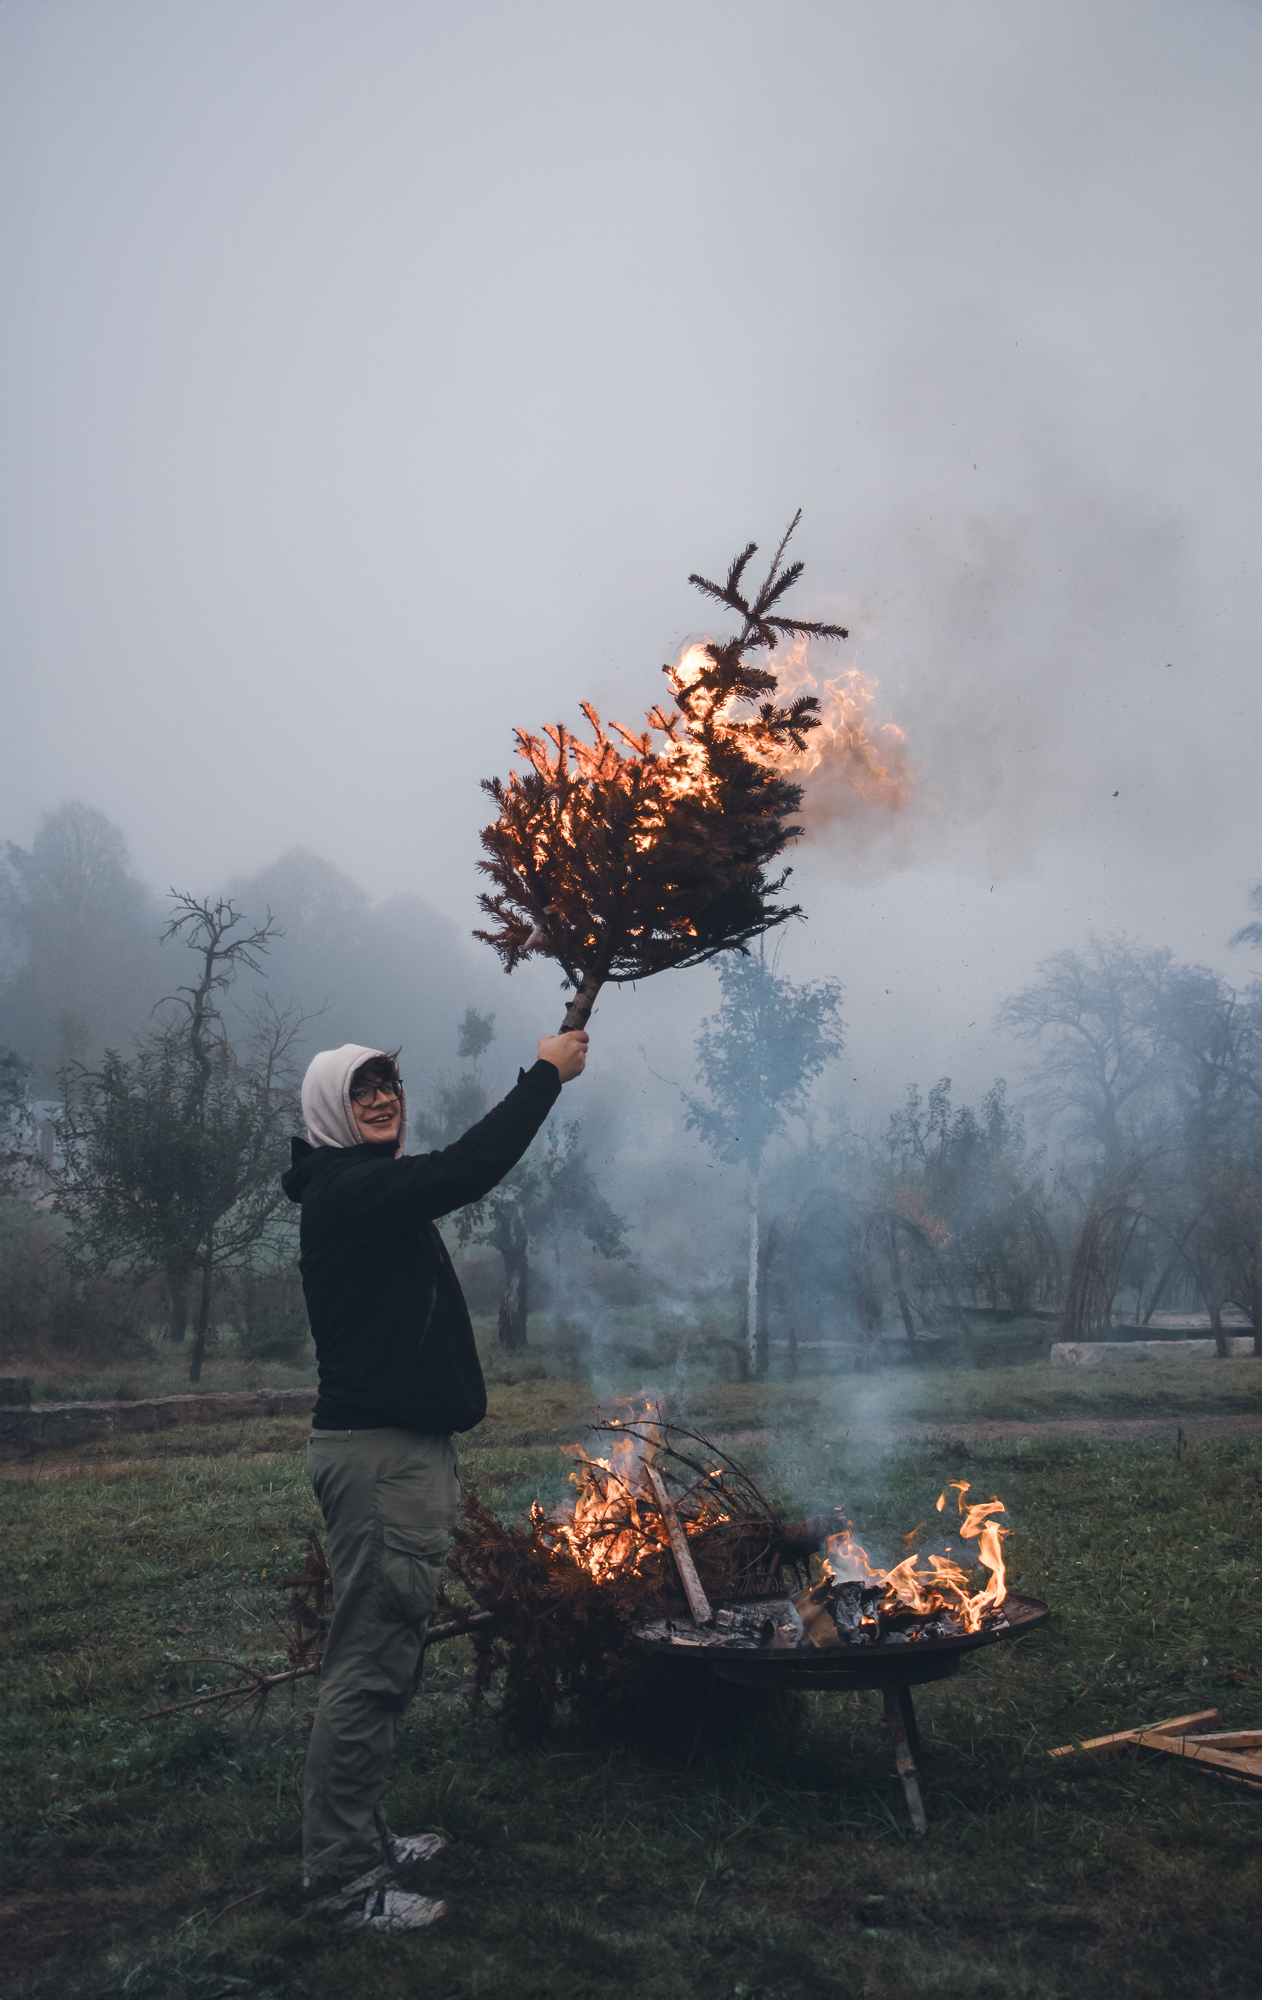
<point>625,859</point>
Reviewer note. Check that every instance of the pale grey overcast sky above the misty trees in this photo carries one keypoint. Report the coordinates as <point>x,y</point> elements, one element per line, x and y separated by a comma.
<point>377,373</point>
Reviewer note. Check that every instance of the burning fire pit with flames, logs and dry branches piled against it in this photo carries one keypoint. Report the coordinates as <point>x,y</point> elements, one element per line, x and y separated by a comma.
<point>587,1599</point>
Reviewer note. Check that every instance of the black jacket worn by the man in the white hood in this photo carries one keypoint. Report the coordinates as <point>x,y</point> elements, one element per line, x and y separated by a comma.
<point>393,1333</point>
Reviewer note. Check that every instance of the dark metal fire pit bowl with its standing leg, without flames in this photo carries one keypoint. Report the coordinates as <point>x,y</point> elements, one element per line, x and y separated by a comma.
<point>783,1657</point>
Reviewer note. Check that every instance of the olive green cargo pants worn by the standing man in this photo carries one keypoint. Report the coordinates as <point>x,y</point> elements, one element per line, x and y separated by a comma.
<point>389,1503</point>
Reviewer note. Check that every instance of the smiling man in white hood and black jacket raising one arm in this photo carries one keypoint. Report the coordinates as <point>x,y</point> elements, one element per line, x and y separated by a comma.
<point>399,1375</point>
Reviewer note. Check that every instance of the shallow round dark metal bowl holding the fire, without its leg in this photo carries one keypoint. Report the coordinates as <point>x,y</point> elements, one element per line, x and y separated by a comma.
<point>849,1667</point>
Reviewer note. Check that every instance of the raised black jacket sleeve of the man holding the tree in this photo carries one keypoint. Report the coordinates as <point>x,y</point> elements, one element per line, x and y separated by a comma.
<point>425,1187</point>
